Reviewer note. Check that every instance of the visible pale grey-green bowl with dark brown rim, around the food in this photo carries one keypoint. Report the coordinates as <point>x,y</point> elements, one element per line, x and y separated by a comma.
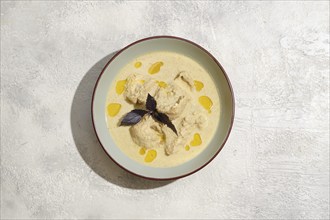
<point>176,45</point>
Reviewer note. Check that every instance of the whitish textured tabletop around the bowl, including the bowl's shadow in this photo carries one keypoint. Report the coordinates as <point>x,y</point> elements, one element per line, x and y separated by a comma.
<point>274,165</point>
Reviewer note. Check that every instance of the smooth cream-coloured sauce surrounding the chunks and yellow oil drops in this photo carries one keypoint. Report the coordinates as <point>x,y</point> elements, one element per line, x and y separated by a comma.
<point>172,65</point>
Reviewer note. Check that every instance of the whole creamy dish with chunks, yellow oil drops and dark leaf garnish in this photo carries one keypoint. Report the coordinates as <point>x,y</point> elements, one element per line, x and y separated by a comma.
<point>162,109</point>
